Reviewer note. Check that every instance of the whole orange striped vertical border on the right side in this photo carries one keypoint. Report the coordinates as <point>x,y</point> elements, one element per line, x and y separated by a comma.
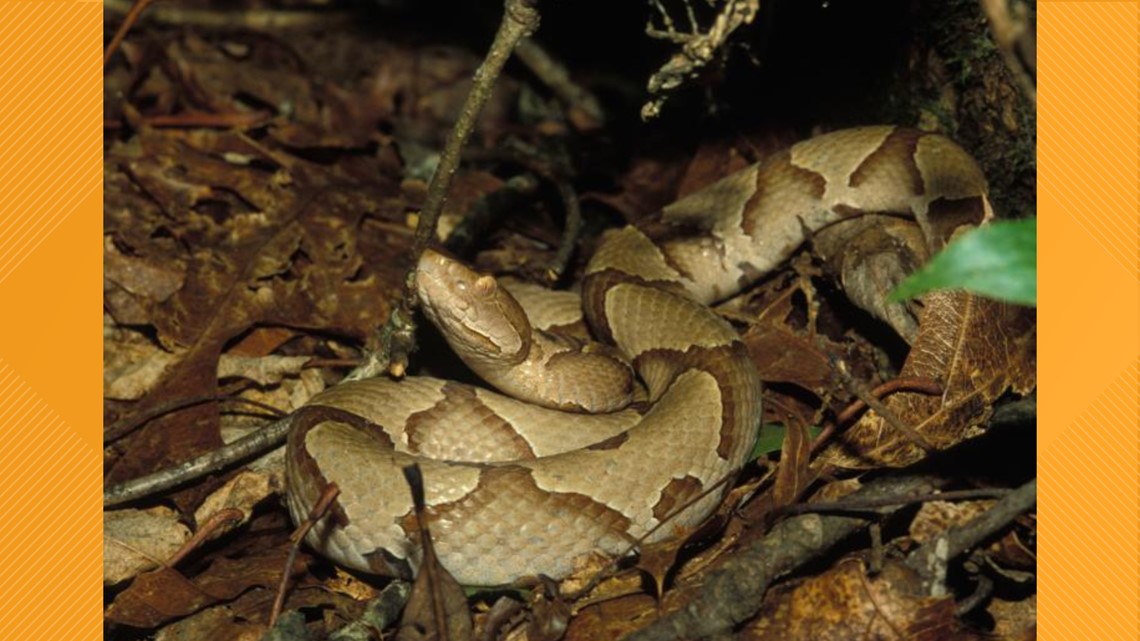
<point>1089,451</point>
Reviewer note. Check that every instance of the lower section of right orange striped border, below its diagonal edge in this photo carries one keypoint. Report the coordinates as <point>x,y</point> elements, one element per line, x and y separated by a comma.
<point>1089,521</point>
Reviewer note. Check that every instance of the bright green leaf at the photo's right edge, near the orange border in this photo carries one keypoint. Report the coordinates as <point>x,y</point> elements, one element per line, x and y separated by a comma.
<point>998,261</point>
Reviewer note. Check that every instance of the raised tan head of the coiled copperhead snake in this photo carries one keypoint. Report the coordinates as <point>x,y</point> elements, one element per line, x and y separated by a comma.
<point>479,319</point>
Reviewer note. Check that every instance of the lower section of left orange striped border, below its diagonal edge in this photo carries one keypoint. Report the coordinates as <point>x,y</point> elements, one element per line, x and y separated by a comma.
<point>52,577</point>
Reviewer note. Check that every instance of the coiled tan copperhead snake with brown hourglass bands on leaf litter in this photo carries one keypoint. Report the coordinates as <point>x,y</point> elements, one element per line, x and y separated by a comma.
<point>527,490</point>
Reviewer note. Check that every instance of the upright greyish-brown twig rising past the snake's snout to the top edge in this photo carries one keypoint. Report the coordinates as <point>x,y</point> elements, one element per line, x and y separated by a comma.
<point>520,20</point>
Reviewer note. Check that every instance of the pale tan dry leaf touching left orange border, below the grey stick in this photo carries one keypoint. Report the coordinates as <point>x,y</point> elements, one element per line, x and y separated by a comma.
<point>137,541</point>
